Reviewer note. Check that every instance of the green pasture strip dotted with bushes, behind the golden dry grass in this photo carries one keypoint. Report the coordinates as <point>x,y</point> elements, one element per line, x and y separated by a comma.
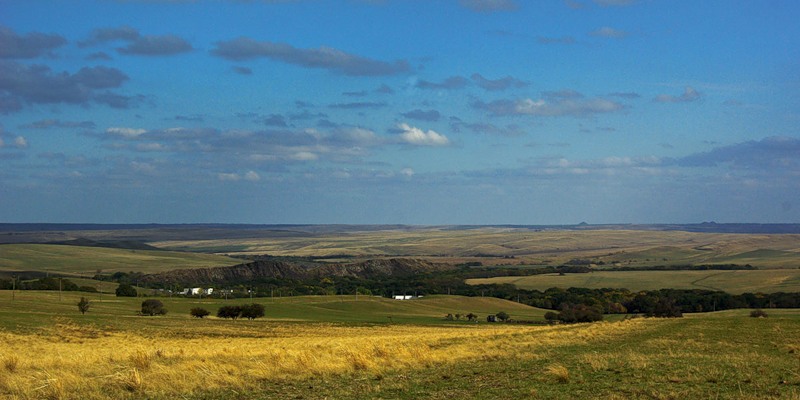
<point>31,309</point>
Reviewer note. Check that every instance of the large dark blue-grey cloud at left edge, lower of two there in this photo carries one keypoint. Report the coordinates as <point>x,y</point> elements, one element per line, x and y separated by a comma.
<point>21,83</point>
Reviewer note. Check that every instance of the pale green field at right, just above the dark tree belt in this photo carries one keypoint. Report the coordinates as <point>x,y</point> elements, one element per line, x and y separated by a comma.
<point>734,282</point>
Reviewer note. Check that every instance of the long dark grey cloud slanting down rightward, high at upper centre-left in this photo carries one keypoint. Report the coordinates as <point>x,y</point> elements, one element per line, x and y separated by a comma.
<point>335,60</point>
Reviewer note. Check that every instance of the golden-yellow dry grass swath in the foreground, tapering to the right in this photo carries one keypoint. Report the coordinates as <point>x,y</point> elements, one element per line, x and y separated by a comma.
<point>70,361</point>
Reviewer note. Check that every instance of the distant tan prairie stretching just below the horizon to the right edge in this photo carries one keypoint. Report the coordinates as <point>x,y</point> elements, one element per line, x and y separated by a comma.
<point>496,245</point>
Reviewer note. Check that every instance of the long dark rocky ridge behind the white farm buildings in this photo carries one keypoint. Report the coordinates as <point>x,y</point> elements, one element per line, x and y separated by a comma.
<point>264,269</point>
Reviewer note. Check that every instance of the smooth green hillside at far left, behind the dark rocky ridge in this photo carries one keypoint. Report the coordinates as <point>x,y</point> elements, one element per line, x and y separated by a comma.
<point>86,261</point>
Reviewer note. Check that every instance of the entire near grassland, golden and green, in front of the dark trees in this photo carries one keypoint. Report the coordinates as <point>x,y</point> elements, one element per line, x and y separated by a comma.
<point>111,353</point>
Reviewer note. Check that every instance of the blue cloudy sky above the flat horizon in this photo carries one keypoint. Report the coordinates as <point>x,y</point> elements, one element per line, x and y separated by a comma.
<point>400,111</point>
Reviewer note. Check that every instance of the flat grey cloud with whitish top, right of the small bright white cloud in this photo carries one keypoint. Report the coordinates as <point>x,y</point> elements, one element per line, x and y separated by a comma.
<point>553,104</point>
